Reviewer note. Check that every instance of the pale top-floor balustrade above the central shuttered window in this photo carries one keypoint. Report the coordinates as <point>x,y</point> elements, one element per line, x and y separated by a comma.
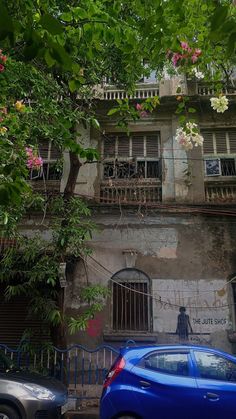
<point>142,91</point>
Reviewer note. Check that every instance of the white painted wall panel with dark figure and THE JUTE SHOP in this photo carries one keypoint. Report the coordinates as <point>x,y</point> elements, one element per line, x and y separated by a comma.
<point>187,308</point>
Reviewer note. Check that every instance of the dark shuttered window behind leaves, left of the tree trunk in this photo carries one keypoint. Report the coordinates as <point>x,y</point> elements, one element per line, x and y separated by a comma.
<point>50,154</point>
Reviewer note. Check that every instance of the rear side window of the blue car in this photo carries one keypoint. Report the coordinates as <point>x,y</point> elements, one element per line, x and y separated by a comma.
<point>168,363</point>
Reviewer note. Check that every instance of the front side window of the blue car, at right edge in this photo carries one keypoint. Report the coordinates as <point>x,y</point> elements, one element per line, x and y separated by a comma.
<point>215,367</point>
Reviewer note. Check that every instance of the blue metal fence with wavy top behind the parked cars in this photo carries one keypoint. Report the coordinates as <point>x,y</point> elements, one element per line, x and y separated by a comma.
<point>82,369</point>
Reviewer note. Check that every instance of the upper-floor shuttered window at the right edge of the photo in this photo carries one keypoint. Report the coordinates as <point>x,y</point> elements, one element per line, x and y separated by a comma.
<point>220,152</point>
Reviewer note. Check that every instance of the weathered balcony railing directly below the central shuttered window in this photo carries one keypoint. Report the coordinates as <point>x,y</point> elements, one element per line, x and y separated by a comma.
<point>130,193</point>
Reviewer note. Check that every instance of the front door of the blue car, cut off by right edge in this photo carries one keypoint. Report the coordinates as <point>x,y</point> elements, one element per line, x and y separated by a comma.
<point>216,384</point>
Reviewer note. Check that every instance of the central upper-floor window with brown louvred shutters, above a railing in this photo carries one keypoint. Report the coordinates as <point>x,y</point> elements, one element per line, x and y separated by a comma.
<point>130,157</point>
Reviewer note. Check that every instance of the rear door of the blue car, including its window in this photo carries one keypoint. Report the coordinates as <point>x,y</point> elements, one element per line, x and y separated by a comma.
<point>164,386</point>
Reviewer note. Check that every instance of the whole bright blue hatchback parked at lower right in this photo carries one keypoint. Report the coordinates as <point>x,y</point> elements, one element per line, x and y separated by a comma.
<point>170,382</point>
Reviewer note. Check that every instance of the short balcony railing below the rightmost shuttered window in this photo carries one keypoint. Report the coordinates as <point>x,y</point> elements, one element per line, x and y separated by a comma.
<point>220,193</point>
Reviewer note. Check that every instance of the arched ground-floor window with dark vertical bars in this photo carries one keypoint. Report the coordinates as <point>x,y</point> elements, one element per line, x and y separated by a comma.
<point>130,301</point>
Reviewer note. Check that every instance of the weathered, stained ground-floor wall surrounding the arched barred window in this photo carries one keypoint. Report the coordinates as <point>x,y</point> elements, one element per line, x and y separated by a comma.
<point>188,261</point>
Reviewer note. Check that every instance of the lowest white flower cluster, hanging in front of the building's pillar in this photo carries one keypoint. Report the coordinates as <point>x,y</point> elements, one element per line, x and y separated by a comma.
<point>189,136</point>
